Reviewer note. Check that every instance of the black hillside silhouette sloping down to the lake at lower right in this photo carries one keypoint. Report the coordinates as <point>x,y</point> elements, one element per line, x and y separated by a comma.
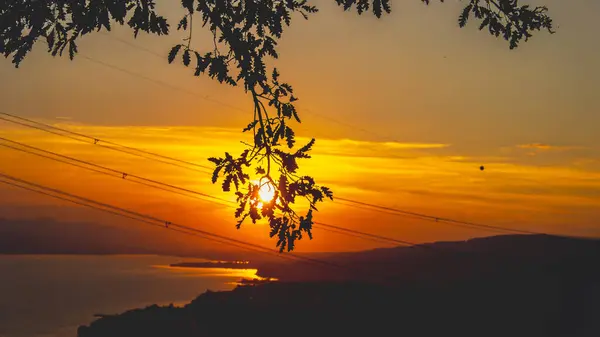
<point>529,286</point>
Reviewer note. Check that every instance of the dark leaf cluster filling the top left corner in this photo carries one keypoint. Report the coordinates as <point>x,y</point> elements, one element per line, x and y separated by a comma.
<point>62,22</point>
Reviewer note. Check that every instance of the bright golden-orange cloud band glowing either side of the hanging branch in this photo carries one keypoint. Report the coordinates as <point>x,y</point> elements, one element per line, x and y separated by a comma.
<point>424,177</point>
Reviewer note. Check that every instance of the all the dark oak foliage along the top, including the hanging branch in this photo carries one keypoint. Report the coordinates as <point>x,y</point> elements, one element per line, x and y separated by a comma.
<point>246,35</point>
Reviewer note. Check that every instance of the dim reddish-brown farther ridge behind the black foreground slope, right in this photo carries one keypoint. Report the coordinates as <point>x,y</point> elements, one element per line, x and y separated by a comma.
<point>481,257</point>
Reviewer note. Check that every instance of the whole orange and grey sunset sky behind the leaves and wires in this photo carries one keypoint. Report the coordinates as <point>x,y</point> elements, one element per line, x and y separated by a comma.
<point>405,110</point>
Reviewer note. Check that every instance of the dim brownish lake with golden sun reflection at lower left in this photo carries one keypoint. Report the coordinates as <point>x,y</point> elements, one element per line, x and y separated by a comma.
<point>51,295</point>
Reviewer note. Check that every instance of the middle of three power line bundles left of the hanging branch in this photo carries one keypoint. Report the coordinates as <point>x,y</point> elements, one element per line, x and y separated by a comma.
<point>98,168</point>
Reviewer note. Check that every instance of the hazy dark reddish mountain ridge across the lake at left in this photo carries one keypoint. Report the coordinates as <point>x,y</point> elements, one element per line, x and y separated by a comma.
<point>48,236</point>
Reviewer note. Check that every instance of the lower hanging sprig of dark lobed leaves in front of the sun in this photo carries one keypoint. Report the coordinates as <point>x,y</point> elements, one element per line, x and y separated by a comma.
<point>277,158</point>
